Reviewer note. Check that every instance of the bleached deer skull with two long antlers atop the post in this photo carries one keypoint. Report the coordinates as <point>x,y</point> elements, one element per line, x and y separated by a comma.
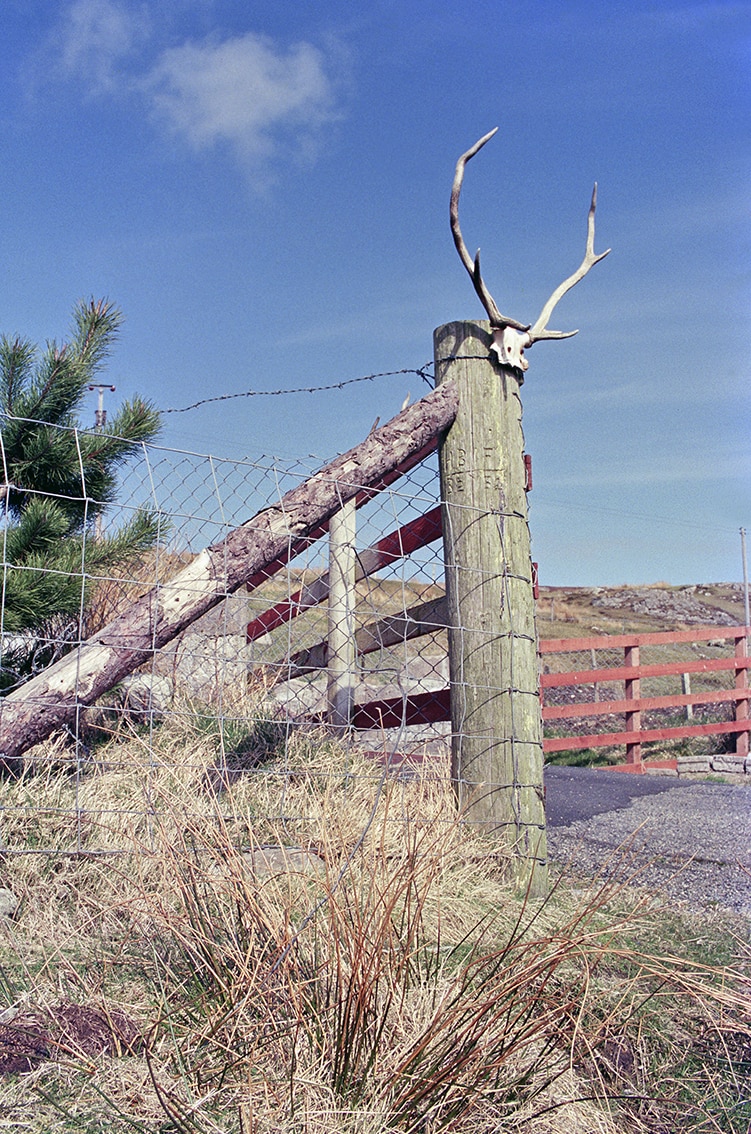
<point>513,350</point>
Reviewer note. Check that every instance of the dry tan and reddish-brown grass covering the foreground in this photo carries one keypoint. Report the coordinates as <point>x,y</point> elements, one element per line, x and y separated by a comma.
<point>384,978</point>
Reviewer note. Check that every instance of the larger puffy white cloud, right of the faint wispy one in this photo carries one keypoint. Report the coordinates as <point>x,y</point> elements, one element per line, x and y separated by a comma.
<point>242,92</point>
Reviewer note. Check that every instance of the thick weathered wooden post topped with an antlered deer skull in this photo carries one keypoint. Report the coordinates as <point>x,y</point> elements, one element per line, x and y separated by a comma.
<point>494,674</point>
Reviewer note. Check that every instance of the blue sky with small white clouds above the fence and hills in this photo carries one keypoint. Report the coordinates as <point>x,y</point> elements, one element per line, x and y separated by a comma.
<point>263,188</point>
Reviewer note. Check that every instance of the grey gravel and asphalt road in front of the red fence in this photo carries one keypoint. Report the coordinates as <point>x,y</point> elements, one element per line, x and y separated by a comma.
<point>693,841</point>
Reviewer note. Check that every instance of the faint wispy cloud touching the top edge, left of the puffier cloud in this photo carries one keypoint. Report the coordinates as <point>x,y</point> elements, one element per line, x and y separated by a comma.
<point>95,38</point>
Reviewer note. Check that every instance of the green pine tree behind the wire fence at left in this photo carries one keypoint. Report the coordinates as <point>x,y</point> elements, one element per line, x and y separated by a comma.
<point>56,481</point>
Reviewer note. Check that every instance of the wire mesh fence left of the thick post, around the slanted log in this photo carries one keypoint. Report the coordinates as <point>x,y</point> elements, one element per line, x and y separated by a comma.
<point>215,703</point>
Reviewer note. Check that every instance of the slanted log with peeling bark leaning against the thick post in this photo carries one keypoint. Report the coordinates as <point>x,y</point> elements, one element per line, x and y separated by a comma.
<point>247,556</point>
